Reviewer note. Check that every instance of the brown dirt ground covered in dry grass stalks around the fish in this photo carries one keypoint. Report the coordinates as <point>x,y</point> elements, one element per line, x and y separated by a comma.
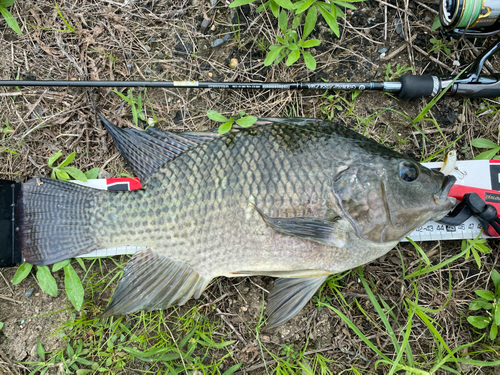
<point>169,40</point>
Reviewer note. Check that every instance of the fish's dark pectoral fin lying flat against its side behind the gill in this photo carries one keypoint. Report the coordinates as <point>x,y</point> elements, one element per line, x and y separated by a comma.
<point>319,230</point>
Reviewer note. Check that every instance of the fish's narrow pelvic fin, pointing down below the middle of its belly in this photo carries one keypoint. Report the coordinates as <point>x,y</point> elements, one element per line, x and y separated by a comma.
<point>289,296</point>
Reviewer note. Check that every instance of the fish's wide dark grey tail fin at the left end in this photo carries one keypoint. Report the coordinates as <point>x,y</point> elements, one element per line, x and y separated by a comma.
<point>54,220</point>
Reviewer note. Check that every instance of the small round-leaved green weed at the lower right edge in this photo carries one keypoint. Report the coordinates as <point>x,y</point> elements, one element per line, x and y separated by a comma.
<point>490,302</point>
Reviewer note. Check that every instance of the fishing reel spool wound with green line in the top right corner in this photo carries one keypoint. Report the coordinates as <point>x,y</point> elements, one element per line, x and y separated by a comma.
<point>472,18</point>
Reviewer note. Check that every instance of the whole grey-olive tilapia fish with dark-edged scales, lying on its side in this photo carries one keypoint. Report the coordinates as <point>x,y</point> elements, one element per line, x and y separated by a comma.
<point>297,199</point>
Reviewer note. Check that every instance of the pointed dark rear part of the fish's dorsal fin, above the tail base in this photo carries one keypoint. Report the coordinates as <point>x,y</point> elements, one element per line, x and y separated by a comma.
<point>146,151</point>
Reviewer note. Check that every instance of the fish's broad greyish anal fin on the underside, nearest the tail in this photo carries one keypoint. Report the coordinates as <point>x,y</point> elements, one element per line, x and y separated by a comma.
<point>152,281</point>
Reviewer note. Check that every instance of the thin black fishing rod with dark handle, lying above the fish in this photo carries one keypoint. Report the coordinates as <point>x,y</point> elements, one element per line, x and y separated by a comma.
<point>470,83</point>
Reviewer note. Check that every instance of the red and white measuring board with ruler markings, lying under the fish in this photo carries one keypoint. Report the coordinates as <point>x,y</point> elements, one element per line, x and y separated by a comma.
<point>479,176</point>
